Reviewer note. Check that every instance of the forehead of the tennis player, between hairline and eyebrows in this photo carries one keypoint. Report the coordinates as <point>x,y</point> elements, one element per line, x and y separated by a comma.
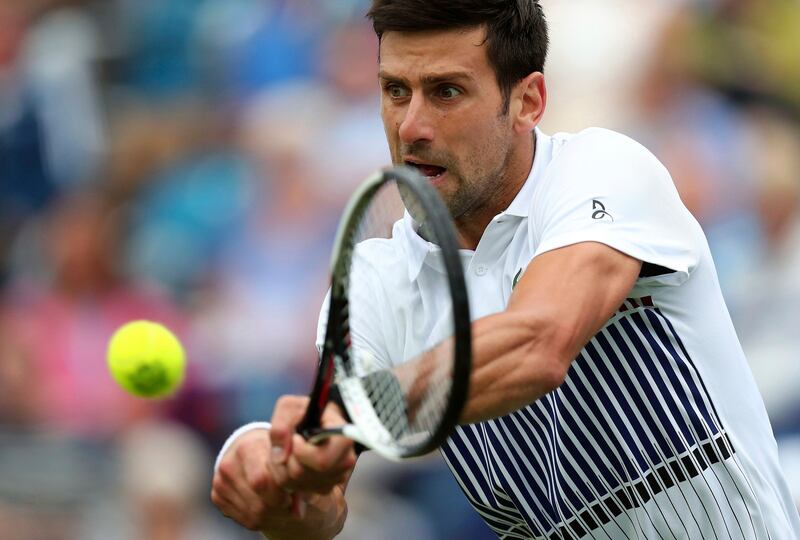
<point>409,54</point>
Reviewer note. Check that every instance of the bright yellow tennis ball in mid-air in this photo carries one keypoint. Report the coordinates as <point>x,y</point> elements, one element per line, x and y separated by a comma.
<point>146,359</point>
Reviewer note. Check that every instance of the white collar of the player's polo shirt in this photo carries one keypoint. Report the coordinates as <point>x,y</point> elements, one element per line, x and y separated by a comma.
<point>417,248</point>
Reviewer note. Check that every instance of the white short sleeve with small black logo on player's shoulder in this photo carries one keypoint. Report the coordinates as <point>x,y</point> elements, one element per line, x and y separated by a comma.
<point>604,187</point>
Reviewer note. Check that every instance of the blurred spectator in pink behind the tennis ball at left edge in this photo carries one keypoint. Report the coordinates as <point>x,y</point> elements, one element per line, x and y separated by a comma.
<point>66,307</point>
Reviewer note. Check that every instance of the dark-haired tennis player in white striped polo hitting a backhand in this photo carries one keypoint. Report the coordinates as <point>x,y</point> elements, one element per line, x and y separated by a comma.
<point>609,397</point>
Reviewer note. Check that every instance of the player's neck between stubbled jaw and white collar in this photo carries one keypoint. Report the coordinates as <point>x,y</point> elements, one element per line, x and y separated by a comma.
<point>472,224</point>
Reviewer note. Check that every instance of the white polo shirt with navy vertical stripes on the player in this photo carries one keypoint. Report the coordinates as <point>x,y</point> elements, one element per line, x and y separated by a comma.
<point>659,430</point>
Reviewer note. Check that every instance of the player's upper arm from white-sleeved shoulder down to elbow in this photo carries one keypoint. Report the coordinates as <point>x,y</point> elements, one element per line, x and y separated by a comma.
<point>605,218</point>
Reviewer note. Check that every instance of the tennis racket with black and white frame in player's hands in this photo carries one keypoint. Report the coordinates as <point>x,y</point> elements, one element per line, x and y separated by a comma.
<point>406,408</point>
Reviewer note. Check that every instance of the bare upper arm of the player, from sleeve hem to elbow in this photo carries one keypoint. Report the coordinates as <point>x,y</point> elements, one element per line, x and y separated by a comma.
<point>574,290</point>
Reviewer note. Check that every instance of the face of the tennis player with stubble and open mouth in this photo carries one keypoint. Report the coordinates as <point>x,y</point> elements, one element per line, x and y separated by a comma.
<point>442,110</point>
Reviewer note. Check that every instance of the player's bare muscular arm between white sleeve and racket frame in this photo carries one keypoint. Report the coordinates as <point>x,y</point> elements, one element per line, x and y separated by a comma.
<point>564,298</point>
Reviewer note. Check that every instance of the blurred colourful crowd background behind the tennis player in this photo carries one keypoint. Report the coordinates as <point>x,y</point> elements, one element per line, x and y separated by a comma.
<point>186,161</point>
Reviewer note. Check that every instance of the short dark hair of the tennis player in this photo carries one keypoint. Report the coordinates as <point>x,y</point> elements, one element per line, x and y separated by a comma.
<point>516,30</point>
